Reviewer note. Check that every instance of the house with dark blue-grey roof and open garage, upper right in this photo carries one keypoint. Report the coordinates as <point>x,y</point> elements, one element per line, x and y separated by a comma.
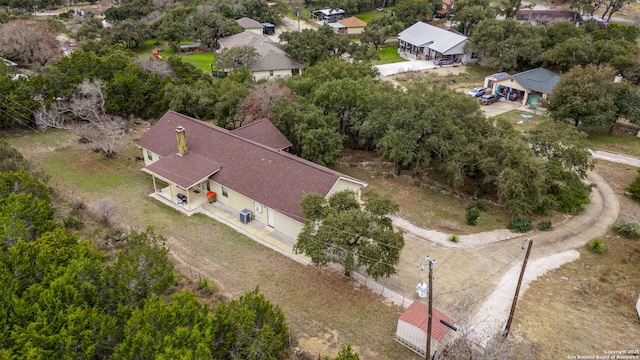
<point>530,87</point>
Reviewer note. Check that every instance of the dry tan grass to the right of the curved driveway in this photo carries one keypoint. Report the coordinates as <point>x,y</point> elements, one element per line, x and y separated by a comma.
<point>588,306</point>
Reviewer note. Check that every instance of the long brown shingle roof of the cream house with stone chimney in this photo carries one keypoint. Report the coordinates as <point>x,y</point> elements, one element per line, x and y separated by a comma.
<point>274,178</point>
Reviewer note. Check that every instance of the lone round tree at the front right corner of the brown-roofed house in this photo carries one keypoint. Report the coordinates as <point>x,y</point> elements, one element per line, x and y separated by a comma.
<point>338,230</point>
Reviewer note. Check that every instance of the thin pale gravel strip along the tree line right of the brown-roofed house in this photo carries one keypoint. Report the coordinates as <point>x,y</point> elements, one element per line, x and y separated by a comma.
<point>464,241</point>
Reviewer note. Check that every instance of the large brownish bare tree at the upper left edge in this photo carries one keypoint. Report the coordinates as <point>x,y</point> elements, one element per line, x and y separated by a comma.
<point>29,41</point>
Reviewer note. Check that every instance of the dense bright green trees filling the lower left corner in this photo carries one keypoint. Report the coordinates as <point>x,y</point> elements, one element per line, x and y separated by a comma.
<point>61,298</point>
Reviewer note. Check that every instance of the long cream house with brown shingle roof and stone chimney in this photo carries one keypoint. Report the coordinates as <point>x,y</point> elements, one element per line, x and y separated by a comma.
<point>190,160</point>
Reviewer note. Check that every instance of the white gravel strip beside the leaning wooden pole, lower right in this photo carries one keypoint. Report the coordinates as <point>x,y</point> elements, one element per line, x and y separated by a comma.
<point>493,314</point>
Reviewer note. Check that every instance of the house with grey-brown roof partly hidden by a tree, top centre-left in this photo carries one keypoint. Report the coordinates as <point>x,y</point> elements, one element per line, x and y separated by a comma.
<point>272,63</point>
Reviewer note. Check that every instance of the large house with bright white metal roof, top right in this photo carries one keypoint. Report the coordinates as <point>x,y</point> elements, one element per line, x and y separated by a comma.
<point>422,41</point>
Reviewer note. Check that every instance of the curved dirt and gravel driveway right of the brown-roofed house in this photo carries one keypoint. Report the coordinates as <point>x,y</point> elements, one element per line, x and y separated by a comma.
<point>476,275</point>
